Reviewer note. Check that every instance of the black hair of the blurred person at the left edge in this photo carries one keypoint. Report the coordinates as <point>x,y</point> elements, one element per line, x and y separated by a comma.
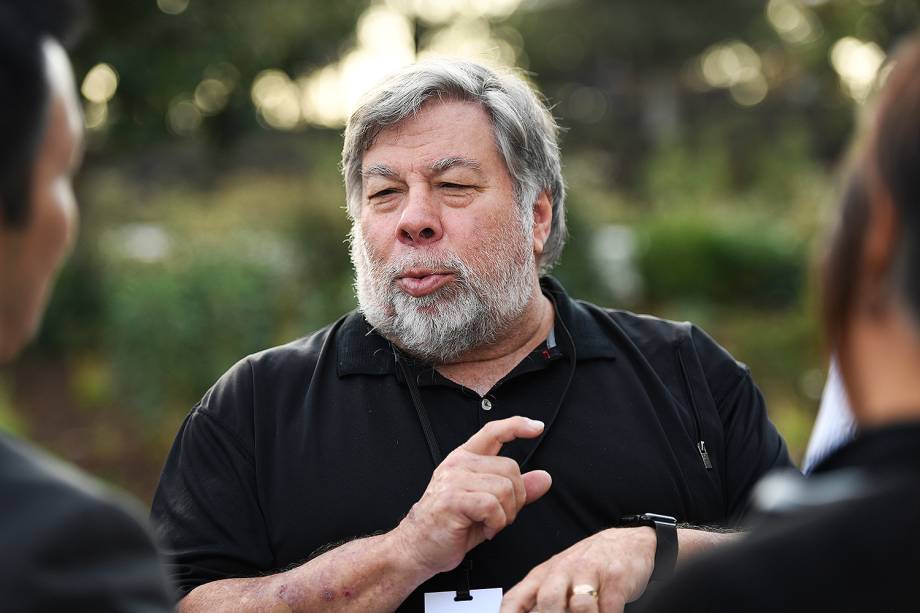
<point>24,91</point>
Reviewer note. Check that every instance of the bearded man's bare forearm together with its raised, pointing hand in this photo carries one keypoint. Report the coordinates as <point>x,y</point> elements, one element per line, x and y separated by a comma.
<point>472,495</point>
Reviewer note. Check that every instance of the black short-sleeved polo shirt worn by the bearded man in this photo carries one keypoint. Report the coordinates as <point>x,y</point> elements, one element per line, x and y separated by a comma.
<point>318,441</point>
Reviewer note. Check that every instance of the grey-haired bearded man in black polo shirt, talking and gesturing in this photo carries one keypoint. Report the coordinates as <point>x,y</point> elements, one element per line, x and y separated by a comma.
<point>471,427</point>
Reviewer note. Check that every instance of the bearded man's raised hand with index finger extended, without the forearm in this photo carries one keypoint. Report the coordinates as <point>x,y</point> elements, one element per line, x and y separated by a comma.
<point>472,496</point>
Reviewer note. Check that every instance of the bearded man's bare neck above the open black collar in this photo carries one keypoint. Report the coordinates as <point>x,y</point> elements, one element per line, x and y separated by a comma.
<point>481,368</point>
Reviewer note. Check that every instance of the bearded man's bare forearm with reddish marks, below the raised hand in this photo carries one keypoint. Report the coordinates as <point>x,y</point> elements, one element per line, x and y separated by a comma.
<point>369,574</point>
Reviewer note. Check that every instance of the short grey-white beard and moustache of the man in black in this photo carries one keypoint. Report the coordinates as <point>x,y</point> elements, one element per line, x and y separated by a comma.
<point>474,309</point>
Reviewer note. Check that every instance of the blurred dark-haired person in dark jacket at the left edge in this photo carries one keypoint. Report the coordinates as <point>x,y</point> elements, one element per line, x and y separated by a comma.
<point>66,542</point>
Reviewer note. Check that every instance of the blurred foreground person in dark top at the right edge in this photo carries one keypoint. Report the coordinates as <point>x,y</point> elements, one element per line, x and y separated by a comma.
<point>848,537</point>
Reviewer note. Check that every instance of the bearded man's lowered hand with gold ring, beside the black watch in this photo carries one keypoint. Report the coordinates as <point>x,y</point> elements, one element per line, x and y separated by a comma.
<point>617,563</point>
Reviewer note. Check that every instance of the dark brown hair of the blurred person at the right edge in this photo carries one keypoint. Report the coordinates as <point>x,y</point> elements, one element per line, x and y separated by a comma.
<point>888,166</point>
